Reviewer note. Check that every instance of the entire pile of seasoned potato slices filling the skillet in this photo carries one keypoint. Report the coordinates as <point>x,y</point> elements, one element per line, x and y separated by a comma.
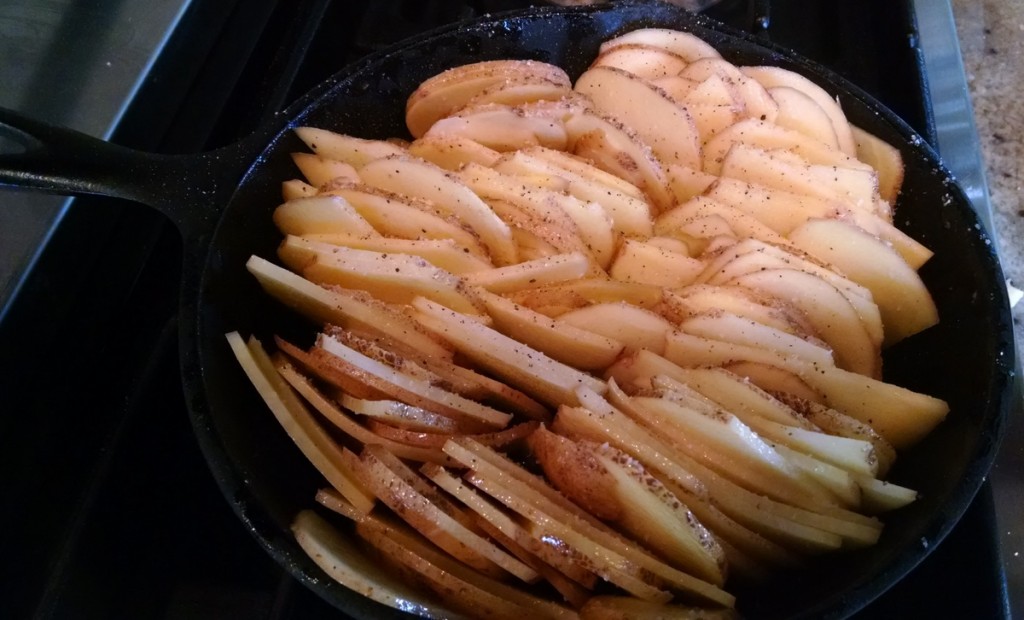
<point>625,332</point>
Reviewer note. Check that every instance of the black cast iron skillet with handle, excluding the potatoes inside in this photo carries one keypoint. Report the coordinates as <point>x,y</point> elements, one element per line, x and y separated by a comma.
<point>223,201</point>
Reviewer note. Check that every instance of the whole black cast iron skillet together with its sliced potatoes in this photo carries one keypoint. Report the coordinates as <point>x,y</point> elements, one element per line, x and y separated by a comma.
<point>599,310</point>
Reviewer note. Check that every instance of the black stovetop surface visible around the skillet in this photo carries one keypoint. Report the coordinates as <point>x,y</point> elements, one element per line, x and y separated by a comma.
<point>110,511</point>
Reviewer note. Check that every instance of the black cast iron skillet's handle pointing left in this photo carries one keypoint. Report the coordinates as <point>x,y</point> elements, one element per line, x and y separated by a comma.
<point>39,156</point>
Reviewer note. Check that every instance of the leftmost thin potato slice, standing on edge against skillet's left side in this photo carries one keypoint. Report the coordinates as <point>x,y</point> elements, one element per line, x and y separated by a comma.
<point>298,422</point>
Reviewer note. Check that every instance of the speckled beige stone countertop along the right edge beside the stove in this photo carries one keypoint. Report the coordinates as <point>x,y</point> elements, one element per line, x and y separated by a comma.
<point>992,34</point>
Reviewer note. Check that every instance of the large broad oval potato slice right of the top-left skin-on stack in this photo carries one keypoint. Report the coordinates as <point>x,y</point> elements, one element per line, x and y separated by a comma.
<point>646,109</point>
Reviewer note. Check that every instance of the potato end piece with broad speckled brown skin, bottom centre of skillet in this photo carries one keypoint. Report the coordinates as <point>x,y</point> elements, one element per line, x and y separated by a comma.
<point>612,485</point>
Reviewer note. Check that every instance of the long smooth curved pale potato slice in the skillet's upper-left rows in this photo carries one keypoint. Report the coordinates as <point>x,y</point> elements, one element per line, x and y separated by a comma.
<point>422,180</point>
